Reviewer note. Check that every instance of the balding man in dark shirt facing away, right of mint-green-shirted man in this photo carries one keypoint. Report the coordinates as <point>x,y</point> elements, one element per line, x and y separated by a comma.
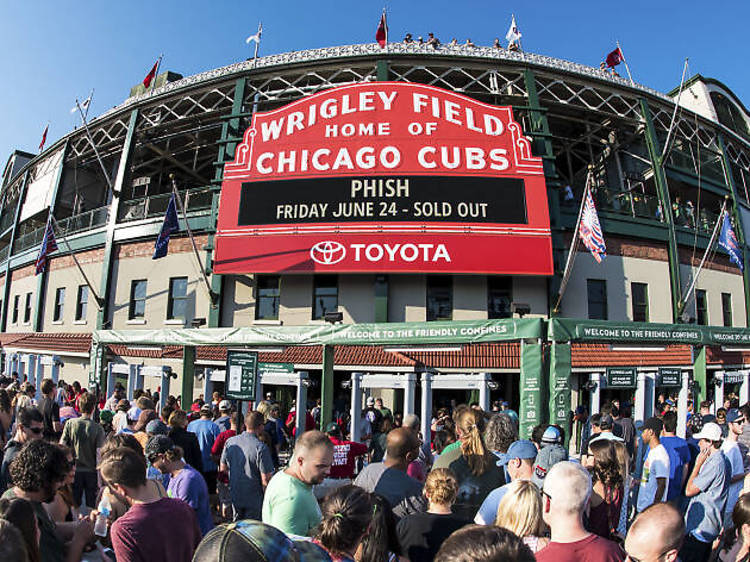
<point>389,478</point>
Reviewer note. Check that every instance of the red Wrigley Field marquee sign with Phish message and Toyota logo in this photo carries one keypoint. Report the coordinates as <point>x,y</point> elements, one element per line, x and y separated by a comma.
<point>384,177</point>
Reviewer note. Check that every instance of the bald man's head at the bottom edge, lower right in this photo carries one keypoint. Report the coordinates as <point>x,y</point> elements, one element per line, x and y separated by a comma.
<point>656,534</point>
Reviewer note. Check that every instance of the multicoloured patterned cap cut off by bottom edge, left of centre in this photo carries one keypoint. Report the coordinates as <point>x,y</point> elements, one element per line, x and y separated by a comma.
<point>253,540</point>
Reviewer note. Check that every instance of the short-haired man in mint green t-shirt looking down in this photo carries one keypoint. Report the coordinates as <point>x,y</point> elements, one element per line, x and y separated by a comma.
<point>289,503</point>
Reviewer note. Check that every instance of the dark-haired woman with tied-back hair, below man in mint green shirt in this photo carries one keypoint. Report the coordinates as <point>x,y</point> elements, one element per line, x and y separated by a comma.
<point>346,515</point>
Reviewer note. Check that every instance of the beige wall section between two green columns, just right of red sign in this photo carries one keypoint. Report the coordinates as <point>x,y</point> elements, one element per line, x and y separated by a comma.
<point>619,273</point>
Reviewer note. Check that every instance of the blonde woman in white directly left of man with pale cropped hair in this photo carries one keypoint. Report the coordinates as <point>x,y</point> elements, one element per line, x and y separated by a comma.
<point>520,511</point>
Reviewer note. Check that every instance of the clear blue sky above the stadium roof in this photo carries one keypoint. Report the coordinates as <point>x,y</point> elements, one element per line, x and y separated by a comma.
<point>52,52</point>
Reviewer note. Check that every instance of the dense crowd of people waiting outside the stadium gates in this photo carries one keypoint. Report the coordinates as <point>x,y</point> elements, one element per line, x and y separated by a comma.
<point>88,477</point>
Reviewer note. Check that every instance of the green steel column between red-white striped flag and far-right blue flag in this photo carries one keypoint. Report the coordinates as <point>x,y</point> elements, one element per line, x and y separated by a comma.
<point>660,178</point>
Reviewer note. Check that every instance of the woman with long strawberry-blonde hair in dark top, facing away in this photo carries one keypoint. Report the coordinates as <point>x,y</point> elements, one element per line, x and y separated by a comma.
<point>473,464</point>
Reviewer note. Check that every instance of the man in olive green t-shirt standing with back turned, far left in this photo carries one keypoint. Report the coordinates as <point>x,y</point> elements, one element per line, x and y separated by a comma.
<point>85,437</point>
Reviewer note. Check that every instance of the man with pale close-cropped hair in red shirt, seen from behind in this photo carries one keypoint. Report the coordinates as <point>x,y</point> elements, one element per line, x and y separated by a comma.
<point>566,494</point>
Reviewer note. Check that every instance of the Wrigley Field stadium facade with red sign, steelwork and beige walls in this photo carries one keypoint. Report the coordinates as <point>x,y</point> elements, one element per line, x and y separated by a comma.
<point>484,320</point>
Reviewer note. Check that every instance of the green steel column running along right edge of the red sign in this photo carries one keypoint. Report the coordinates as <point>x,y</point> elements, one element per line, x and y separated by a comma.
<point>542,146</point>
